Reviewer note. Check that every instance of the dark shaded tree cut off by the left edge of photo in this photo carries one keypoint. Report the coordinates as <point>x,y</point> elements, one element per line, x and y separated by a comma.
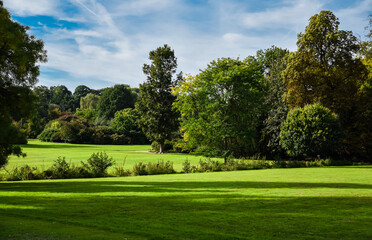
<point>20,54</point>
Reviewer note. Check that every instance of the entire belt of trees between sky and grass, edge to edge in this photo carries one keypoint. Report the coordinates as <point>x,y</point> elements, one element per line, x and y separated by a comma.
<point>311,103</point>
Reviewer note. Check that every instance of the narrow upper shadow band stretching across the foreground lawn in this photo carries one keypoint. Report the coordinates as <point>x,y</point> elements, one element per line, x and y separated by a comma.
<point>94,186</point>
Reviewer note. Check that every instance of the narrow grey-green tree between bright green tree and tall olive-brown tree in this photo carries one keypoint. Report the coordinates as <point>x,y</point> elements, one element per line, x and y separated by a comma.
<point>273,63</point>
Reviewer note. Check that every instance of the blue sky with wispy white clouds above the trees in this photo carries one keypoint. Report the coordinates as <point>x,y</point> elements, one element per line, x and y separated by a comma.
<point>100,43</point>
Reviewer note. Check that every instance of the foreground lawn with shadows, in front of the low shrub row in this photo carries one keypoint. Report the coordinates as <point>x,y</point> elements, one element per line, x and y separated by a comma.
<point>307,203</point>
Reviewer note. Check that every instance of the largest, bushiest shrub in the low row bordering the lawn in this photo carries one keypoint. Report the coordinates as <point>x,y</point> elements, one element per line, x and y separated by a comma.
<point>98,164</point>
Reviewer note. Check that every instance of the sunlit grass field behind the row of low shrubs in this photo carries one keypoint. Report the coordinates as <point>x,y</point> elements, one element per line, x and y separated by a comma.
<point>42,154</point>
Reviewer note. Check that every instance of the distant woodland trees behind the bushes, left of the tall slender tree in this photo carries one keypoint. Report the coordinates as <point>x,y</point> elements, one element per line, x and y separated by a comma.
<point>97,106</point>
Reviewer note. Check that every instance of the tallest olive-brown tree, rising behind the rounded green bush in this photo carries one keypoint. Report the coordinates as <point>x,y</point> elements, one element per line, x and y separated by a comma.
<point>325,69</point>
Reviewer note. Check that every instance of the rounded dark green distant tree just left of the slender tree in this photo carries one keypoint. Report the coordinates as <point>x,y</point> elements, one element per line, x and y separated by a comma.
<point>115,99</point>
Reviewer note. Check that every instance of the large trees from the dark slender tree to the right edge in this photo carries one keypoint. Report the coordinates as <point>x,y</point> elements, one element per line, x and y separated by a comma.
<point>313,102</point>
